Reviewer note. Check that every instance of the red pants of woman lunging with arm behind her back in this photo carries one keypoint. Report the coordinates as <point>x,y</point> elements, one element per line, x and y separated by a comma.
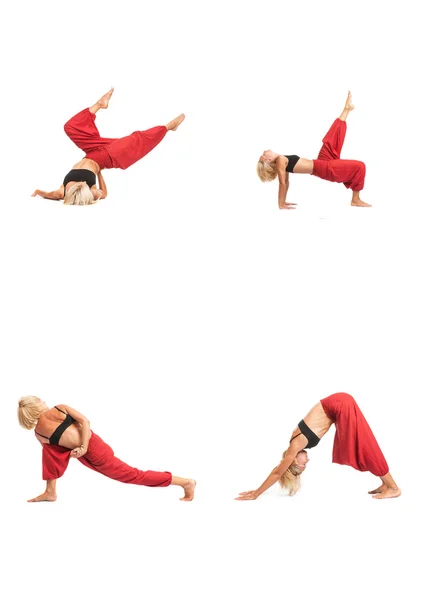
<point>100,458</point>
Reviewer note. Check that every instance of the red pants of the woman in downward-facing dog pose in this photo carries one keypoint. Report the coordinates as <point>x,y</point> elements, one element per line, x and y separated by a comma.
<point>354,442</point>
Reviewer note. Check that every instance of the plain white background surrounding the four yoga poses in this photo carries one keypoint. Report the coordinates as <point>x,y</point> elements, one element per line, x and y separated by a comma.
<point>192,321</point>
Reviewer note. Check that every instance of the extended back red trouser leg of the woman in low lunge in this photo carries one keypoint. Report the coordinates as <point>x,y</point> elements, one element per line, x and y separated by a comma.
<point>100,458</point>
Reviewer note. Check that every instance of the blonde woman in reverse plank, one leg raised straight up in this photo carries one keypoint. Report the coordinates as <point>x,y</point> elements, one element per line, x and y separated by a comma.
<point>328,166</point>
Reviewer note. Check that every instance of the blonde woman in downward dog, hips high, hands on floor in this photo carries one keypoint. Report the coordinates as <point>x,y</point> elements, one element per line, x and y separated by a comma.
<point>354,445</point>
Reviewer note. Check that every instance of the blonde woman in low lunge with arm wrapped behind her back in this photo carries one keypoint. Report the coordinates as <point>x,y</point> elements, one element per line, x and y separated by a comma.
<point>64,432</point>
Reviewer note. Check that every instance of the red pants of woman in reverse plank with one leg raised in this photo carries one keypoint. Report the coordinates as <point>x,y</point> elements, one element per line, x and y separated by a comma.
<point>329,165</point>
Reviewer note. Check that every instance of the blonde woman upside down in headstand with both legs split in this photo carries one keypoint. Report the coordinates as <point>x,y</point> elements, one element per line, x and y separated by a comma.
<point>79,185</point>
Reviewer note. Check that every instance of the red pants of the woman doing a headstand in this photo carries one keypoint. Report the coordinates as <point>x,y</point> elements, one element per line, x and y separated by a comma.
<point>117,153</point>
